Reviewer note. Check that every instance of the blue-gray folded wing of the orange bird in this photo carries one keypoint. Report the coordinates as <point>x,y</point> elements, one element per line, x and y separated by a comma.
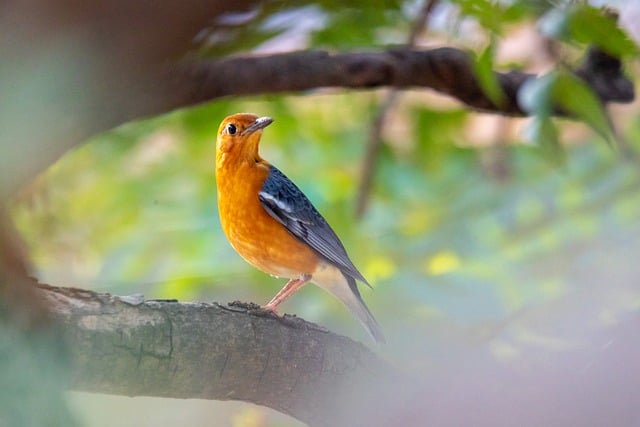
<point>288,205</point>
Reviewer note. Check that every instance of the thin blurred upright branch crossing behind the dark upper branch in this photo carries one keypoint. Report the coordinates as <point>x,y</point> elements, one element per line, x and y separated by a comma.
<point>374,143</point>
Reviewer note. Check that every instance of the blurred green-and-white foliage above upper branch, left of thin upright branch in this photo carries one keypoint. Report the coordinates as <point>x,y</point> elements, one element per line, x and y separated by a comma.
<point>327,23</point>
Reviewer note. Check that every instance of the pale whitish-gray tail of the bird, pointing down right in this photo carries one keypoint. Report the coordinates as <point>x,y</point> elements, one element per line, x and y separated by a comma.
<point>346,290</point>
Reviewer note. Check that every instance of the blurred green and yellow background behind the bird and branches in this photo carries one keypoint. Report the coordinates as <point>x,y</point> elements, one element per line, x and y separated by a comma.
<point>475,239</point>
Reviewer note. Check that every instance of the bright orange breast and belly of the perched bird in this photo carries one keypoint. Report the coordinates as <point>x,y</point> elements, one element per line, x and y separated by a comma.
<point>257,237</point>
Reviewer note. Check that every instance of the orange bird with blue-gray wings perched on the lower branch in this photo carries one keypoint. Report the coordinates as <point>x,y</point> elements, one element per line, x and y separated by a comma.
<point>270,223</point>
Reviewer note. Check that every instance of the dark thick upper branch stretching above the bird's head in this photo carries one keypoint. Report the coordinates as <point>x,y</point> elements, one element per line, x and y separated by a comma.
<point>446,70</point>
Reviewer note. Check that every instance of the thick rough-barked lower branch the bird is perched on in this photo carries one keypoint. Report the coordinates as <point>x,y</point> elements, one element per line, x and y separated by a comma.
<point>125,345</point>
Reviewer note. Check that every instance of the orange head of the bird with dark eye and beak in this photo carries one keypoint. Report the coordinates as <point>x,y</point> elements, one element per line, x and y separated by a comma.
<point>239,136</point>
